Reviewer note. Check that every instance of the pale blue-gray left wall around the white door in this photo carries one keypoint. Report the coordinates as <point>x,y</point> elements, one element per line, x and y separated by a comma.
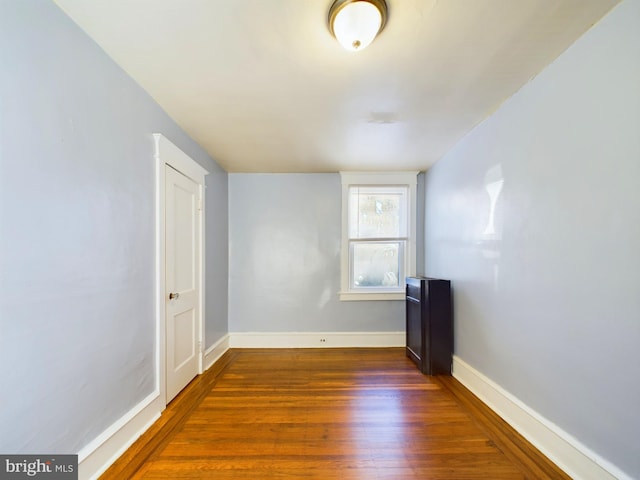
<point>77,308</point>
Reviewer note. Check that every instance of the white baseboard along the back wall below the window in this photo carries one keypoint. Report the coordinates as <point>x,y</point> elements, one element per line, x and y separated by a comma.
<point>316,339</point>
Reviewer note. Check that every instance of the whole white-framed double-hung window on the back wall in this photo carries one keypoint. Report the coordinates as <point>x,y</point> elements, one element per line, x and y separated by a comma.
<point>378,234</point>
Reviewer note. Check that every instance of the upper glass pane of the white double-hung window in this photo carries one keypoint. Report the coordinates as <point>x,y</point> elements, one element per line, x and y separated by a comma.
<point>377,212</point>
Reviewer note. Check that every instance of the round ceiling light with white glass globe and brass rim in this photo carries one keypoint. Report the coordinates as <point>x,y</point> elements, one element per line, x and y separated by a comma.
<point>355,23</point>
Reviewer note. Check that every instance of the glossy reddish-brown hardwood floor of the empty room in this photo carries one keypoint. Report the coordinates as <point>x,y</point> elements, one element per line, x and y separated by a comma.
<point>328,414</point>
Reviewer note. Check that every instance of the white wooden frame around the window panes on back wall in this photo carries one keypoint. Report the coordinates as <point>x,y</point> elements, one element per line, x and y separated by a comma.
<point>377,179</point>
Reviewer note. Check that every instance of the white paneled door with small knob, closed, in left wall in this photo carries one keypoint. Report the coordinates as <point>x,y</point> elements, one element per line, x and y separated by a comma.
<point>182,241</point>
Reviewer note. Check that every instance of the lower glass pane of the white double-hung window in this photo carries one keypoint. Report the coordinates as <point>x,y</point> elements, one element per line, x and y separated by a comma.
<point>377,264</point>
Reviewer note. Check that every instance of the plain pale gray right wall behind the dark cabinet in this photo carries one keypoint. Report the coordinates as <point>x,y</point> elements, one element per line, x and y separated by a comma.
<point>547,303</point>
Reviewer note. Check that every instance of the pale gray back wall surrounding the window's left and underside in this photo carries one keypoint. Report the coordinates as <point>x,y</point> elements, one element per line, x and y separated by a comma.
<point>284,248</point>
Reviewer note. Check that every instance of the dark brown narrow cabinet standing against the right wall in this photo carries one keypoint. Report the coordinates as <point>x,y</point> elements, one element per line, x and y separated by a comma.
<point>430,324</point>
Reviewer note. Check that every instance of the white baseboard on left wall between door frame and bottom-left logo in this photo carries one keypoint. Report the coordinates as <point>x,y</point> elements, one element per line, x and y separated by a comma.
<point>105,449</point>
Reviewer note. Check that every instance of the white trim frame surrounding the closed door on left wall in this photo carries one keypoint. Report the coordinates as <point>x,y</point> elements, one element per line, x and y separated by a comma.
<point>166,153</point>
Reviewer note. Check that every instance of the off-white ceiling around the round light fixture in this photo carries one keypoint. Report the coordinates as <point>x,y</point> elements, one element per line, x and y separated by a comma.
<point>264,87</point>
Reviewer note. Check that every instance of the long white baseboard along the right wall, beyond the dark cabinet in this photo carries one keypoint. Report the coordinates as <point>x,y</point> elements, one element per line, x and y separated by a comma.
<point>569,454</point>
